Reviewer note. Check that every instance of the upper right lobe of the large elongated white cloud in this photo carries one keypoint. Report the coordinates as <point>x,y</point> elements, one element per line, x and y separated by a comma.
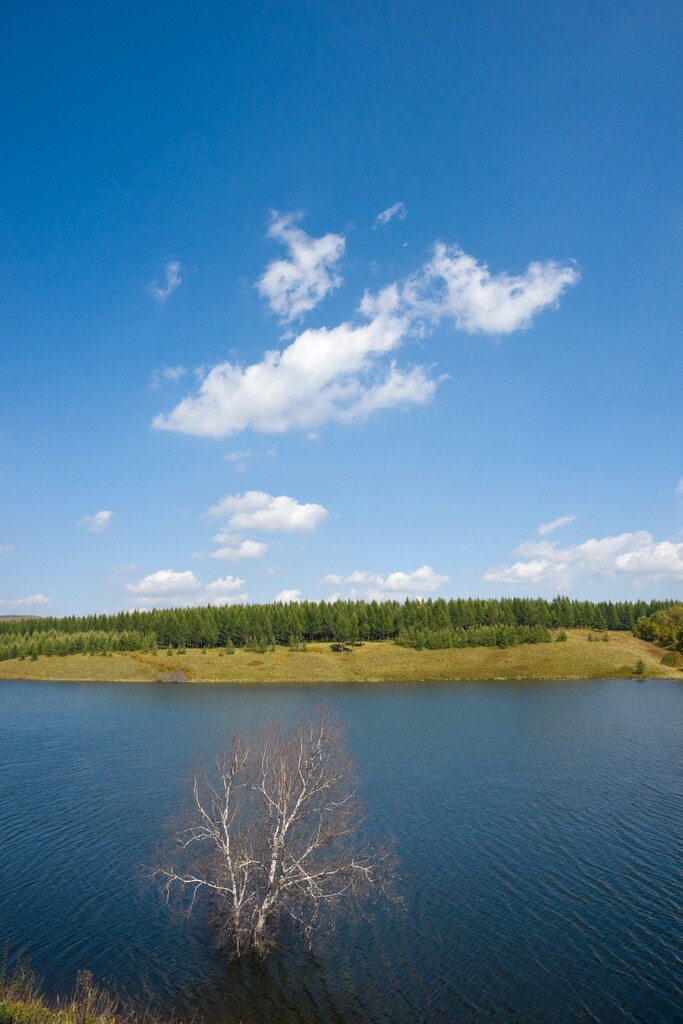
<point>455,285</point>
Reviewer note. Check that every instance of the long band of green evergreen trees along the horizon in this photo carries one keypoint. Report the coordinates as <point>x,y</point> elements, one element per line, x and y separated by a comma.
<point>348,622</point>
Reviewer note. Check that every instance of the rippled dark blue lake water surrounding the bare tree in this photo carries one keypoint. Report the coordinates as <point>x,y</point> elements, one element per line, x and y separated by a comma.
<point>539,829</point>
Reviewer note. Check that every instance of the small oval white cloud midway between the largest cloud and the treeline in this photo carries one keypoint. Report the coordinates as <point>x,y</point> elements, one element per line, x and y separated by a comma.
<point>258,510</point>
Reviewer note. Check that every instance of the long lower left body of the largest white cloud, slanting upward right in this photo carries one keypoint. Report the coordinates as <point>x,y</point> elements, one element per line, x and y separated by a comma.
<point>324,375</point>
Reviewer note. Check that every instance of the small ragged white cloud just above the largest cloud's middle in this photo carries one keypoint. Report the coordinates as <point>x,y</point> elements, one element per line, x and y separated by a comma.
<point>294,286</point>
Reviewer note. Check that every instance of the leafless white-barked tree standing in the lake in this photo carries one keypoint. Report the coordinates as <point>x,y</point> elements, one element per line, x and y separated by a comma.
<point>273,837</point>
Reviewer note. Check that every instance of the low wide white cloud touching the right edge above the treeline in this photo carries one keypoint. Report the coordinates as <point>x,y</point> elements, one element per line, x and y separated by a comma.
<point>638,554</point>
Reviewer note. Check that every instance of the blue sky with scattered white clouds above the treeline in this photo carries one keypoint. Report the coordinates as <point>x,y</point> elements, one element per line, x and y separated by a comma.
<point>317,300</point>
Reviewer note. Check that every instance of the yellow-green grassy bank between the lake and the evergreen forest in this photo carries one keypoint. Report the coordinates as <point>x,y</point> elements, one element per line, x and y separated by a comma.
<point>576,659</point>
